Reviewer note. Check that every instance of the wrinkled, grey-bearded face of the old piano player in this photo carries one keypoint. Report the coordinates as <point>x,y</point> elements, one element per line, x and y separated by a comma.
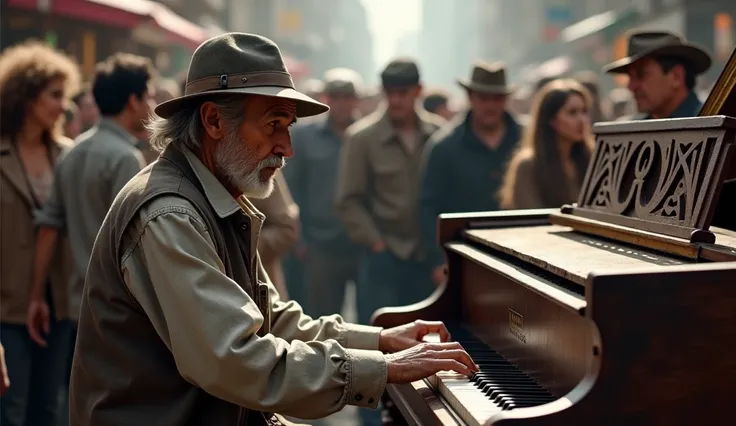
<point>250,153</point>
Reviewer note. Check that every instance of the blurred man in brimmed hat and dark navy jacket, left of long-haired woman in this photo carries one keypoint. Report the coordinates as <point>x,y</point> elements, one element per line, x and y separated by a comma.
<point>464,162</point>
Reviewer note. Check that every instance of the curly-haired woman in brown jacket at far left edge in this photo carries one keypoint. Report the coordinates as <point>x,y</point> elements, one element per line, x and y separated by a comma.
<point>35,83</point>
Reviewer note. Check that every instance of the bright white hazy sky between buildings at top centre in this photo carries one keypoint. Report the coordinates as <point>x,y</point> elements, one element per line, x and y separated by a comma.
<point>389,20</point>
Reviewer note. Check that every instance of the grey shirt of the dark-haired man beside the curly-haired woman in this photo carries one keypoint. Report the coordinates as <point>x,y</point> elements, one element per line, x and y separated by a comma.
<point>86,182</point>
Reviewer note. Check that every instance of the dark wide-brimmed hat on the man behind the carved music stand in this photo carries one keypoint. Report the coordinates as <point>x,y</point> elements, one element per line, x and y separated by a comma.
<point>642,44</point>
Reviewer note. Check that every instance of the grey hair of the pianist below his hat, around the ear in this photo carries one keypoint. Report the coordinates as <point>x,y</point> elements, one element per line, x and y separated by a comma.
<point>184,128</point>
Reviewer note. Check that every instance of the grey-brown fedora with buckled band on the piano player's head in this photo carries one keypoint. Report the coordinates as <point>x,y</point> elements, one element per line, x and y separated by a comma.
<point>240,63</point>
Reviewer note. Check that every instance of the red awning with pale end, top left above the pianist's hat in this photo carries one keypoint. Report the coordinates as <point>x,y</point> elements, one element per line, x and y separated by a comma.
<point>132,14</point>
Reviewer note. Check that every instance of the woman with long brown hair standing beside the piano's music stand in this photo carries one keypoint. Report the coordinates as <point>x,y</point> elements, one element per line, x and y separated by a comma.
<point>549,167</point>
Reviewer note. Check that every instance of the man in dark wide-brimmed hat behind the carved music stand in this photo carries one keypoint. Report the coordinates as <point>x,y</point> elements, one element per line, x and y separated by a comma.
<point>662,68</point>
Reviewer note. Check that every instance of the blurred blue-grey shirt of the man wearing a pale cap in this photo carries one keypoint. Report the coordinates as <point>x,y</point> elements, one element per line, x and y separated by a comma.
<point>312,177</point>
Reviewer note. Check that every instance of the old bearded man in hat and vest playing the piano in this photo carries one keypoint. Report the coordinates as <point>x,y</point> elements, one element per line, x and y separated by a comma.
<point>179,323</point>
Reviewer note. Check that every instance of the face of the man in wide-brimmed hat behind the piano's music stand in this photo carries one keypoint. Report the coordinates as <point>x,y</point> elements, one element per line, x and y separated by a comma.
<point>652,88</point>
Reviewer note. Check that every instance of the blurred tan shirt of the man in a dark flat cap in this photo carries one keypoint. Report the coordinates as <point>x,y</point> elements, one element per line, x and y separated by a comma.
<point>378,183</point>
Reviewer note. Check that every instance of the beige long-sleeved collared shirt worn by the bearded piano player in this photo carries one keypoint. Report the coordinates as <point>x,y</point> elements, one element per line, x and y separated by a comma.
<point>302,369</point>
